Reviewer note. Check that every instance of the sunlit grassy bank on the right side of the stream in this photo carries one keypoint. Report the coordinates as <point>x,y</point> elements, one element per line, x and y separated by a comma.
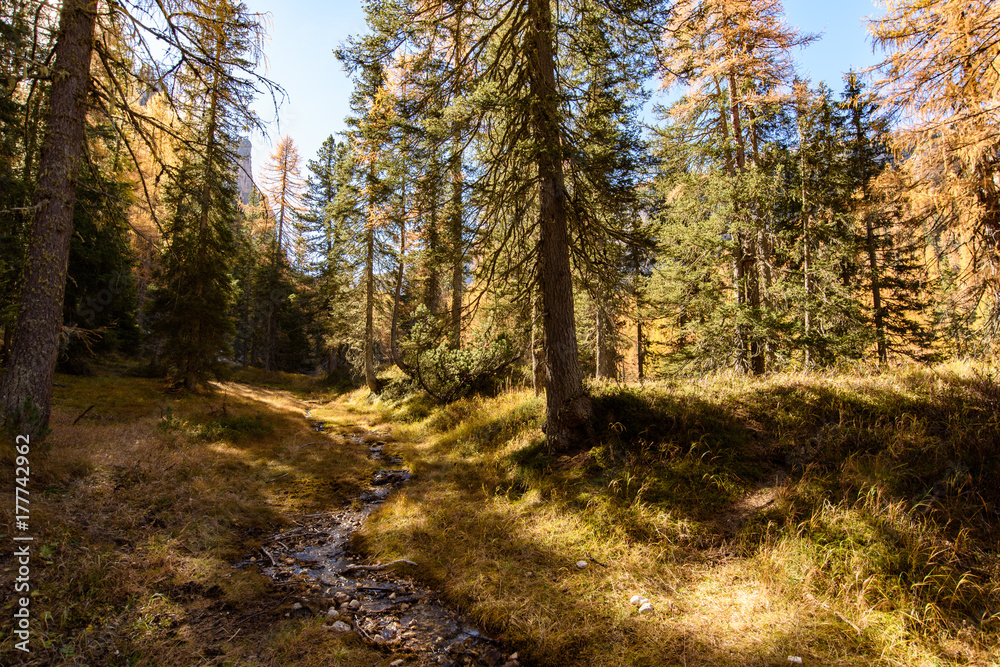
<point>847,520</point>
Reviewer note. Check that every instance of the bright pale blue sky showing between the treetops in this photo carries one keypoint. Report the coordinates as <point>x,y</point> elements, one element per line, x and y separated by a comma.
<point>305,32</point>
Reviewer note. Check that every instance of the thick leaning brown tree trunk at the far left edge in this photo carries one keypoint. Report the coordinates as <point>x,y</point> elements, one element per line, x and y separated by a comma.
<point>35,347</point>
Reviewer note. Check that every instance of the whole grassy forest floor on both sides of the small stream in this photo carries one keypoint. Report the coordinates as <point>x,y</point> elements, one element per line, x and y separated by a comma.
<point>843,519</point>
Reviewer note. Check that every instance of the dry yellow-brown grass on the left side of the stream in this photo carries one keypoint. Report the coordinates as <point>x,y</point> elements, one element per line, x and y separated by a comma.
<point>139,510</point>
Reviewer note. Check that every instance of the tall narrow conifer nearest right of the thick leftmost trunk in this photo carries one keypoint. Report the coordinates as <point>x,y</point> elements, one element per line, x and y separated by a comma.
<point>190,308</point>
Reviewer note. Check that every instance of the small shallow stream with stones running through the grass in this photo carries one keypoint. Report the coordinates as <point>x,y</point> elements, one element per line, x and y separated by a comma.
<point>381,605</point>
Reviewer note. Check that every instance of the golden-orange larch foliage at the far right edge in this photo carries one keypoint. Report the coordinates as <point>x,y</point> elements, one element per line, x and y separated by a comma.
<point>941,75</point>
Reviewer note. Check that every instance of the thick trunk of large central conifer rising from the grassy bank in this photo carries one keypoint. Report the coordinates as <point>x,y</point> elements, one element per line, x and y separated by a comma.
<point>568,409</point>
